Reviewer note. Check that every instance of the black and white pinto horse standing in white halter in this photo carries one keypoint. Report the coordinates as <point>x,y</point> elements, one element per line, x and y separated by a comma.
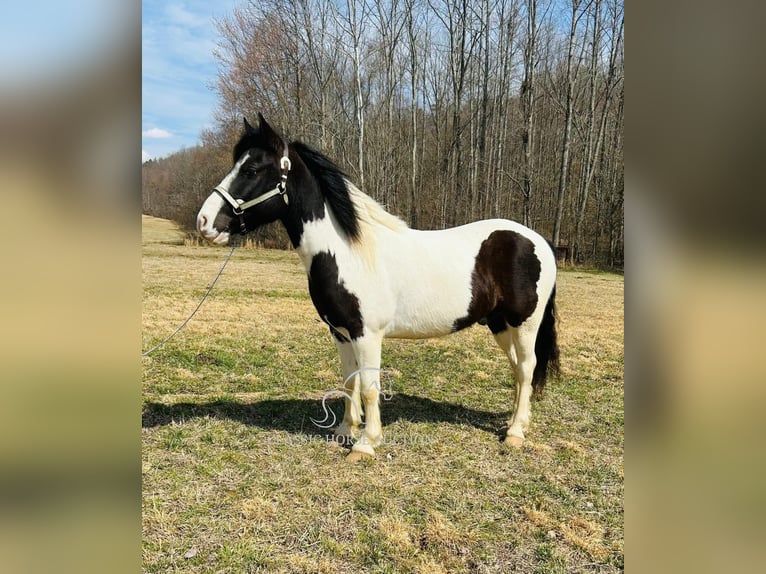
<point>370,276</point>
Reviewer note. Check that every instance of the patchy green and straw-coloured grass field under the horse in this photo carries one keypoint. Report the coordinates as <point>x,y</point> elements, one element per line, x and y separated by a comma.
<point>236,477</point>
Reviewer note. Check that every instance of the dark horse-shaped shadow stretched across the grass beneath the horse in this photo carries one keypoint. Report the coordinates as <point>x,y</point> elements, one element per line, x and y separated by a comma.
<point>293,415</point>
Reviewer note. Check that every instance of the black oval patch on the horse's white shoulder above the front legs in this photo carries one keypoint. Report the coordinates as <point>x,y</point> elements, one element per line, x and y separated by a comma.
<point>336,305</point>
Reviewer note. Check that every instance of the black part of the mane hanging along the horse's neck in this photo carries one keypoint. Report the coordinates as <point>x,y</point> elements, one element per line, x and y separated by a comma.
<point>332,184</point>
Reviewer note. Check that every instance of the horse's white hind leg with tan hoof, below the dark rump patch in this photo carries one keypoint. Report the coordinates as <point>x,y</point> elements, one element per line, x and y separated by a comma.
<point>523,340</point>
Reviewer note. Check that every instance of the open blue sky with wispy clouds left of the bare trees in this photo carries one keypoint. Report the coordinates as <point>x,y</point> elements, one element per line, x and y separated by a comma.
<point>178,72</point>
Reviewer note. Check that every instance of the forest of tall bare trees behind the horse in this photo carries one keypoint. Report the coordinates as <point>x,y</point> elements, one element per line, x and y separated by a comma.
<point>444,111</point>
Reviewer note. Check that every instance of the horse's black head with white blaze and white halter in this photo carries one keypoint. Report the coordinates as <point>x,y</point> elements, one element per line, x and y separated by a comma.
<point>253,193</point>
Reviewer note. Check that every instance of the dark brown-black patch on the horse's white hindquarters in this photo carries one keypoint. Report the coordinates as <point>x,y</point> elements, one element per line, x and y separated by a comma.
<point>503,283</point>
